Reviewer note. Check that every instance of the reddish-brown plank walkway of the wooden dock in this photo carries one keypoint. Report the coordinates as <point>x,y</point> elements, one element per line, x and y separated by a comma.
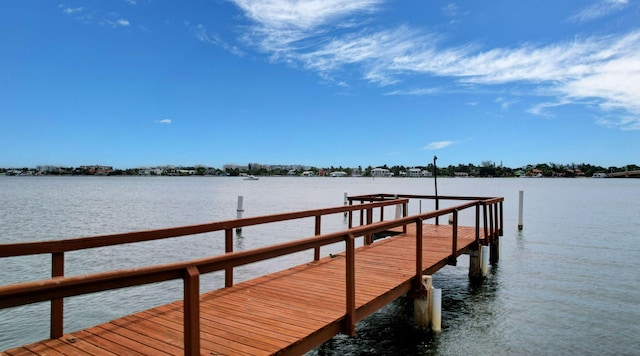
<point>287,312</point>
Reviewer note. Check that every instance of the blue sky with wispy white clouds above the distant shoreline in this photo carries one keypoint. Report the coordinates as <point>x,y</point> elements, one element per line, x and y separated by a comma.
<point>133,83</point>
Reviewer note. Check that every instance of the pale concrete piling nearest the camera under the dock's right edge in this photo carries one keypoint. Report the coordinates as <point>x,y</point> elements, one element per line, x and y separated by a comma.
<point>427,306</point>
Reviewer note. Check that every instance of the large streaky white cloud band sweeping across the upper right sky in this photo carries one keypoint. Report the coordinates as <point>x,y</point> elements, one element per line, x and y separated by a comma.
<point>598,69</point>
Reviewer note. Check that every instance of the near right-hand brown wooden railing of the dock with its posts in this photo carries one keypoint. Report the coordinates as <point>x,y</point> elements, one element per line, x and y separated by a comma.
<point>189,271</point>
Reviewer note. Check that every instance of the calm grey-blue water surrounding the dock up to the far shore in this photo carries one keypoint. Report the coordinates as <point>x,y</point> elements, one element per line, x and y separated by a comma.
<point>569,283</point>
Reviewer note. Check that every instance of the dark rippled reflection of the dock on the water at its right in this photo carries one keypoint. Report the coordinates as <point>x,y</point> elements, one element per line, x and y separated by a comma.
<point>468,312</point>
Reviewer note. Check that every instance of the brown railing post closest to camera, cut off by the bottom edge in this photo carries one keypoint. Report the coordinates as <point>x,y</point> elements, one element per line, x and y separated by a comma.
<point>191,311</point>
